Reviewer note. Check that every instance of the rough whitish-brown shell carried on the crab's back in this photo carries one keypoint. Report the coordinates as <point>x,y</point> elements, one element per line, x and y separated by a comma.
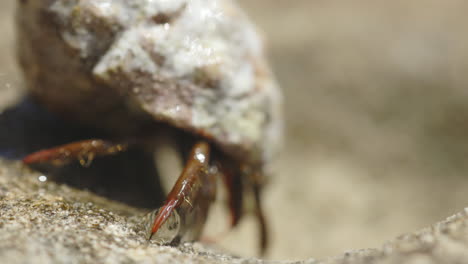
<point>195,64</point>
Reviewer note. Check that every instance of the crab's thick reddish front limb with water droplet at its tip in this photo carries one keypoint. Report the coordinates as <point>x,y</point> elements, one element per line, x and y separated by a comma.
<point>189,200</point>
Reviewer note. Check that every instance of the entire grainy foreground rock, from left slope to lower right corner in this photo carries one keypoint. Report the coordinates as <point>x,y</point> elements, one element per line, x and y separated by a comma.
<point>44,222</point>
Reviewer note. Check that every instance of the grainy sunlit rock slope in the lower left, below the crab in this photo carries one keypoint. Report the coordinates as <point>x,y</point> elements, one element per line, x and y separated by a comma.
<point>43,222</point>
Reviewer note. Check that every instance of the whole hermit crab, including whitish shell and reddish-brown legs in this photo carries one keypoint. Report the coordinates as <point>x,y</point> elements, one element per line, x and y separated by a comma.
<point>191,69</point>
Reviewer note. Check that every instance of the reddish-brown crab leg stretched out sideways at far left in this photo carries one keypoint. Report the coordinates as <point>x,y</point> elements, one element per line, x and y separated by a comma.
<point>84,151</point>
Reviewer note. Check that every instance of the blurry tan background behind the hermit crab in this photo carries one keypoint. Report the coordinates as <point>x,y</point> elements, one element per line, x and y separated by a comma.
<point>377,119</point>
